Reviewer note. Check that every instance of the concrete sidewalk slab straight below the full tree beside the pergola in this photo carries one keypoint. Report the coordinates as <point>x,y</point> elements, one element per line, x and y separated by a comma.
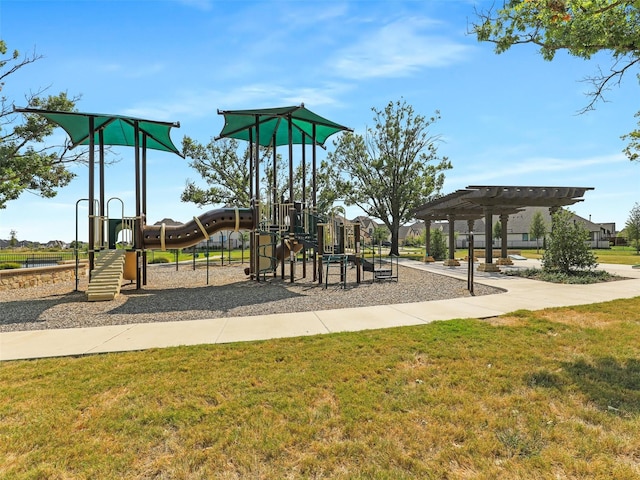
<point>365,318</point>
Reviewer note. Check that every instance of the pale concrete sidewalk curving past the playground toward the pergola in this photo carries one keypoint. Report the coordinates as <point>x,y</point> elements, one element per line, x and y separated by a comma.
<point>519,293</point>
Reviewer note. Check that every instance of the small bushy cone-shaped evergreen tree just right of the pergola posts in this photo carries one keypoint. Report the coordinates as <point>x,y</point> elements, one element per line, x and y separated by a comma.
<point>568,247</point>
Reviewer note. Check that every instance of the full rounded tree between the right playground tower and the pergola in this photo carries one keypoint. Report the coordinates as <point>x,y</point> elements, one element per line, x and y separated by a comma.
<point>391,170</point>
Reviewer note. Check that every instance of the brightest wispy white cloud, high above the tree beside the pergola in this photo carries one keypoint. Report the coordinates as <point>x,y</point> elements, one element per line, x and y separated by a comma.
<point>397,49</point>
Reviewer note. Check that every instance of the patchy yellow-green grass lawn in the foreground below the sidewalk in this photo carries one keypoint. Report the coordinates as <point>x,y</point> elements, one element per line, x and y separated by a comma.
<point>531,395</point>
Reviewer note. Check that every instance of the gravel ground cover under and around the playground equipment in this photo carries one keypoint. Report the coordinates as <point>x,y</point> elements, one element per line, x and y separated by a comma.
<point>183,294</point>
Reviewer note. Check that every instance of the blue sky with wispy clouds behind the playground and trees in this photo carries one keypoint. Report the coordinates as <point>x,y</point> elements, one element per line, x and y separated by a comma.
<point>507,119</point>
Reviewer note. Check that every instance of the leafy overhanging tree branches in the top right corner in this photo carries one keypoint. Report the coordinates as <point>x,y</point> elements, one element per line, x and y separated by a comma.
<point>581,27</point>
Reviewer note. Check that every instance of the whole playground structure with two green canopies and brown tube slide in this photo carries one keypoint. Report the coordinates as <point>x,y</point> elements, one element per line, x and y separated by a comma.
<point>281,230</point>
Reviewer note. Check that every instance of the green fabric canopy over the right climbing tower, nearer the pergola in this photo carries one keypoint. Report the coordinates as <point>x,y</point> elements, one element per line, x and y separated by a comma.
<point>241,124</point>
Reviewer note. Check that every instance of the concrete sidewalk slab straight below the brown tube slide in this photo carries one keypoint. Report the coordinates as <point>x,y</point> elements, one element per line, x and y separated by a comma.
<point>167,334</point>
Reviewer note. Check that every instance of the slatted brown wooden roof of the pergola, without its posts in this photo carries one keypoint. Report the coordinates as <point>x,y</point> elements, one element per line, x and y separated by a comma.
<point>475,202</point>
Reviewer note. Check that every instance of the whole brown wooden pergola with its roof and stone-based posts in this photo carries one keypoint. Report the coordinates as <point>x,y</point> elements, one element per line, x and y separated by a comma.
<point>475,202</point>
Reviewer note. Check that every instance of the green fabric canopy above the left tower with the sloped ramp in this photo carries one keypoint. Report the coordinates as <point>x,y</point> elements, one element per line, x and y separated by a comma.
<point>117,129</point>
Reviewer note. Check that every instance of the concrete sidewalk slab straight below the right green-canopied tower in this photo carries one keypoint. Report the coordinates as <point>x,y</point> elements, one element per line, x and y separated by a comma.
<point>262,327</point>
